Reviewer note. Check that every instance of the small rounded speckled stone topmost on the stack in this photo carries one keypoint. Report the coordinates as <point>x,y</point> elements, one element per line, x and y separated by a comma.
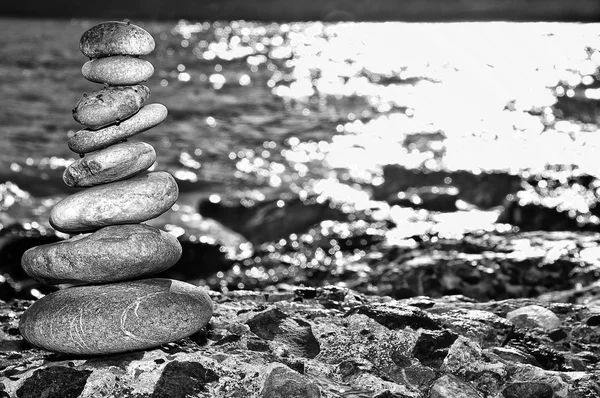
<point>116,38</point>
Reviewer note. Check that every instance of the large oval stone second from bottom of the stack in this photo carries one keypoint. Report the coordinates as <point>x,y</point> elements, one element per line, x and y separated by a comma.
<point>111,254</point>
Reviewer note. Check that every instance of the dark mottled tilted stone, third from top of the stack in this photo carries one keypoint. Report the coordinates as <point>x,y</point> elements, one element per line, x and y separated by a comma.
<point>110,105</point>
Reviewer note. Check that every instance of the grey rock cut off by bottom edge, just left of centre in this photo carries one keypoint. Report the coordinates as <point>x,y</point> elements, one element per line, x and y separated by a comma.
<point>283,382</point>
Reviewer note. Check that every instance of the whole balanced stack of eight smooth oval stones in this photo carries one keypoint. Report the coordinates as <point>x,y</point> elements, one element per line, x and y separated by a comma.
<point>108,308</point>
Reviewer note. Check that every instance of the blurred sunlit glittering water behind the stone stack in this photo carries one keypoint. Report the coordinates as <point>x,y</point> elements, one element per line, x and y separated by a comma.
<point>262,111</point>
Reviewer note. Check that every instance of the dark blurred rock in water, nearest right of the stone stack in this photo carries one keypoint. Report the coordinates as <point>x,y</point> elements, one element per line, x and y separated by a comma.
<point>269,220</point>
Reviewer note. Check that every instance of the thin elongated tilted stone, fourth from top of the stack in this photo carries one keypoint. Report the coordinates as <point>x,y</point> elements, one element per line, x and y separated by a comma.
<point>86,140</point>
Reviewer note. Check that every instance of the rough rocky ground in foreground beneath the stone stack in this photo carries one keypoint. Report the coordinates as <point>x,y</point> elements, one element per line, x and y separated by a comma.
<point>358,355</point>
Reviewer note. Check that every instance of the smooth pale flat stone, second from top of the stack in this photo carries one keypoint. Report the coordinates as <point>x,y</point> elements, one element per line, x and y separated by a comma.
<point>119,70</point>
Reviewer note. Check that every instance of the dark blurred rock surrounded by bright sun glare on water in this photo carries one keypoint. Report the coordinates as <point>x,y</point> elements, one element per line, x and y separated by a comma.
<point>491,189</point>
